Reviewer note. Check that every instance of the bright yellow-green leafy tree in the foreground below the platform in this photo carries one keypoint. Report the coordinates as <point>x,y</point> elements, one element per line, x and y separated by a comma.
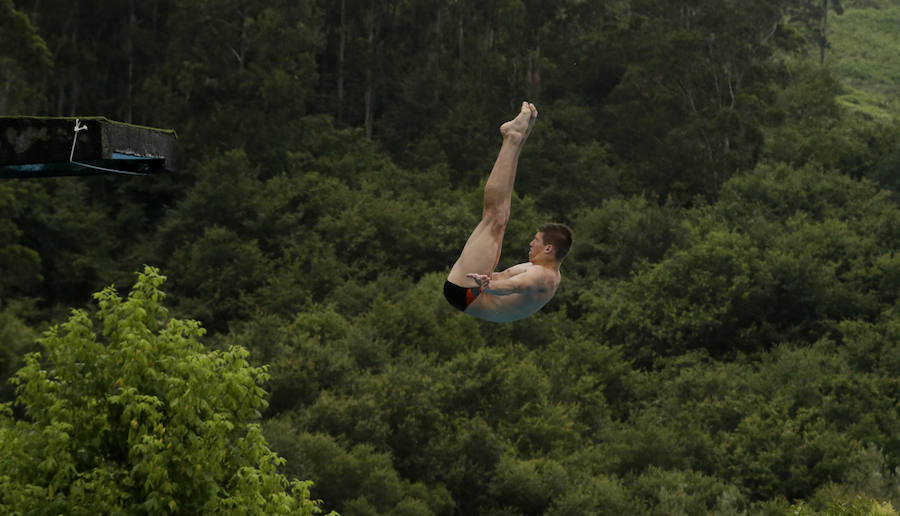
<point>136,417</point>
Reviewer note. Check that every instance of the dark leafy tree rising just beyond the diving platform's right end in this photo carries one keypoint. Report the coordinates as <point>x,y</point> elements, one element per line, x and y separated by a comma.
<point>241,74</point>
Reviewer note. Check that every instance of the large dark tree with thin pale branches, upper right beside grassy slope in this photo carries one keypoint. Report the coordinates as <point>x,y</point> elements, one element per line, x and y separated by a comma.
<point>691,108</point>
